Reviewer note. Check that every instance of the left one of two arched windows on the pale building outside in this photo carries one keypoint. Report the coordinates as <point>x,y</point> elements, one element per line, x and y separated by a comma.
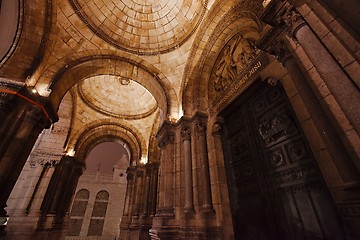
<point>78,212</point>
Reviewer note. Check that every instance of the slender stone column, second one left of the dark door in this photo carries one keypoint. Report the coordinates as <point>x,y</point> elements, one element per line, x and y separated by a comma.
<point>204,167</point>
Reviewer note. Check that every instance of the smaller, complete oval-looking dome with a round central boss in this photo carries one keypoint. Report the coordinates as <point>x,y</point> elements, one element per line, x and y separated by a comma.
<point>116,96</point>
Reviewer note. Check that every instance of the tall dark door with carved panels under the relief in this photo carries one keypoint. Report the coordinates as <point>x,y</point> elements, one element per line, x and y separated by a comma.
<point>275,187</point>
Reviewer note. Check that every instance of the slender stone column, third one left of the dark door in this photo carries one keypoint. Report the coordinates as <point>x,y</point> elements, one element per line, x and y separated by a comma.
<point>186,139</point>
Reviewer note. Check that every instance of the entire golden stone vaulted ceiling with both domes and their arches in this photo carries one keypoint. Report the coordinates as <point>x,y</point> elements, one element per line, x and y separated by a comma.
<point>126,63</point>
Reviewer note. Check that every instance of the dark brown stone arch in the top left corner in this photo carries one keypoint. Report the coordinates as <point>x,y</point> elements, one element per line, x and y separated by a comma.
<point>28,39</point>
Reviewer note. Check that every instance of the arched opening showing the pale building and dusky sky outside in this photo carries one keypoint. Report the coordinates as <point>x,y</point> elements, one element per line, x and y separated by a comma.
<point>105,180</point>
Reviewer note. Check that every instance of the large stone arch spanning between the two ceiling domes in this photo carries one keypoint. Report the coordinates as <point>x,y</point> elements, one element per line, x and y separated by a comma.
<point>128,66</point>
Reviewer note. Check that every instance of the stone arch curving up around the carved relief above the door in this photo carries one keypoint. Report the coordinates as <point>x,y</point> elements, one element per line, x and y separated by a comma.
<point>239,18</point>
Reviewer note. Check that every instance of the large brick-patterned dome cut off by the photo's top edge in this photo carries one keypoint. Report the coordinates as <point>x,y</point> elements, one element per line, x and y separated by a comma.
<point>142,26</point>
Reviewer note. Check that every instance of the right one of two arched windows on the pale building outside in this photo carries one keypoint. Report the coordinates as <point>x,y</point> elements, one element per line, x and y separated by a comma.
<point>98,214</point>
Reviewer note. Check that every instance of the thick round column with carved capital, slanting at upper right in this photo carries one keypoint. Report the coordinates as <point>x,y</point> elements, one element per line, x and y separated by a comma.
<point>347,95</point>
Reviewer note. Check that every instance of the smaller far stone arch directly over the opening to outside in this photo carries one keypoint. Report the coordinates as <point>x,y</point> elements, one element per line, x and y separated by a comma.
<point>99,132</point>
